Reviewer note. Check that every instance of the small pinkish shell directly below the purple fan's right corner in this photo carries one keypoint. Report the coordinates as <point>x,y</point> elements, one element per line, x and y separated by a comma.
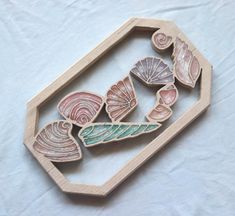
<point>168,94</point>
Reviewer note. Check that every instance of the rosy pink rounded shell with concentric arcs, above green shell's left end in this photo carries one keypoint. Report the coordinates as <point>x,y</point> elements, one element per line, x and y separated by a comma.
<point>80,108</point>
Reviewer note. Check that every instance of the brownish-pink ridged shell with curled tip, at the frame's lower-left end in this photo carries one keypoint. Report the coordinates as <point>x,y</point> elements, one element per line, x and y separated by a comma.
<point>56,143</point>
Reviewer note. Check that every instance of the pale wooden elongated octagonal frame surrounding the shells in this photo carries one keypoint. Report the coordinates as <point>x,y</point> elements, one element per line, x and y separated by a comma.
<point>154,146</point>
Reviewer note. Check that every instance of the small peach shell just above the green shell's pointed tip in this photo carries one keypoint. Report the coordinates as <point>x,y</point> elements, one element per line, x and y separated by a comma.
<point>160,113</point>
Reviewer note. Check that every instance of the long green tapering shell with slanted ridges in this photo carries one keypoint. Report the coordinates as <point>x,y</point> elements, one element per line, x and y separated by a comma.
<point>100,133</point>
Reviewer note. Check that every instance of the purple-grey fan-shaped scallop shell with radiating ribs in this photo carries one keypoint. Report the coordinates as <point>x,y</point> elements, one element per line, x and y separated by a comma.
<point>153,71</point>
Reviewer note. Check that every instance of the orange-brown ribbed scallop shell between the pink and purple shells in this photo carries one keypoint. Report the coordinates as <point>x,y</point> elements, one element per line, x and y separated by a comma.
<point>121,99</point>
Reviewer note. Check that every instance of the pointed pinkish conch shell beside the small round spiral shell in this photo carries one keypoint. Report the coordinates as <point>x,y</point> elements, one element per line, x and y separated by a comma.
<point>186,66</point>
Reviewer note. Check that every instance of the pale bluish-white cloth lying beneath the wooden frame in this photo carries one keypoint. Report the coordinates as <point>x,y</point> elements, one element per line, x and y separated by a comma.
<point>194,175</point>
